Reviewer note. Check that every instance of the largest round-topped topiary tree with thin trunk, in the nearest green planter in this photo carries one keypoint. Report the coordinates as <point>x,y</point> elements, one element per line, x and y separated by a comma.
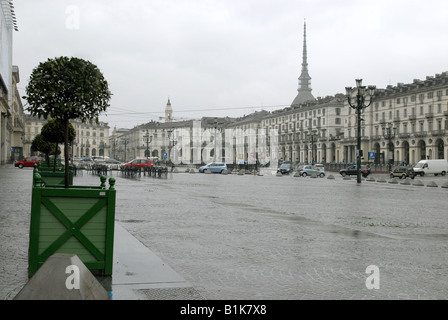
<point>67,88</point>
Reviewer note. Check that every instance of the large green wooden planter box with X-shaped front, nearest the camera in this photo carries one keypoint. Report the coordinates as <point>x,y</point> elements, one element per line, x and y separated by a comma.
<point>78,220</point>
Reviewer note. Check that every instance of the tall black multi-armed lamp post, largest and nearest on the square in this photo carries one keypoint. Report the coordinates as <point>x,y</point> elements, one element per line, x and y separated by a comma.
<point>359,105</point>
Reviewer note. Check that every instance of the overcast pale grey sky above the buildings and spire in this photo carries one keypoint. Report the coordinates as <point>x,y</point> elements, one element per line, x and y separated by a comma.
<point>231,57</point>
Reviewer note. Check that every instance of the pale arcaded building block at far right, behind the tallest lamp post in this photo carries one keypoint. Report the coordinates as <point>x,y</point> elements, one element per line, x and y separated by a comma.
<point>405,123</point>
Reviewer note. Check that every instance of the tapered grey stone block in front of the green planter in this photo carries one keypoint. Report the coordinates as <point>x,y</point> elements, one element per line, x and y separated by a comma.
<point>53,282</point>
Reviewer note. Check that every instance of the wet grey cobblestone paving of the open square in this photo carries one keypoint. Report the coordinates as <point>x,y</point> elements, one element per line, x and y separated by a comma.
<point>266,237</point>
